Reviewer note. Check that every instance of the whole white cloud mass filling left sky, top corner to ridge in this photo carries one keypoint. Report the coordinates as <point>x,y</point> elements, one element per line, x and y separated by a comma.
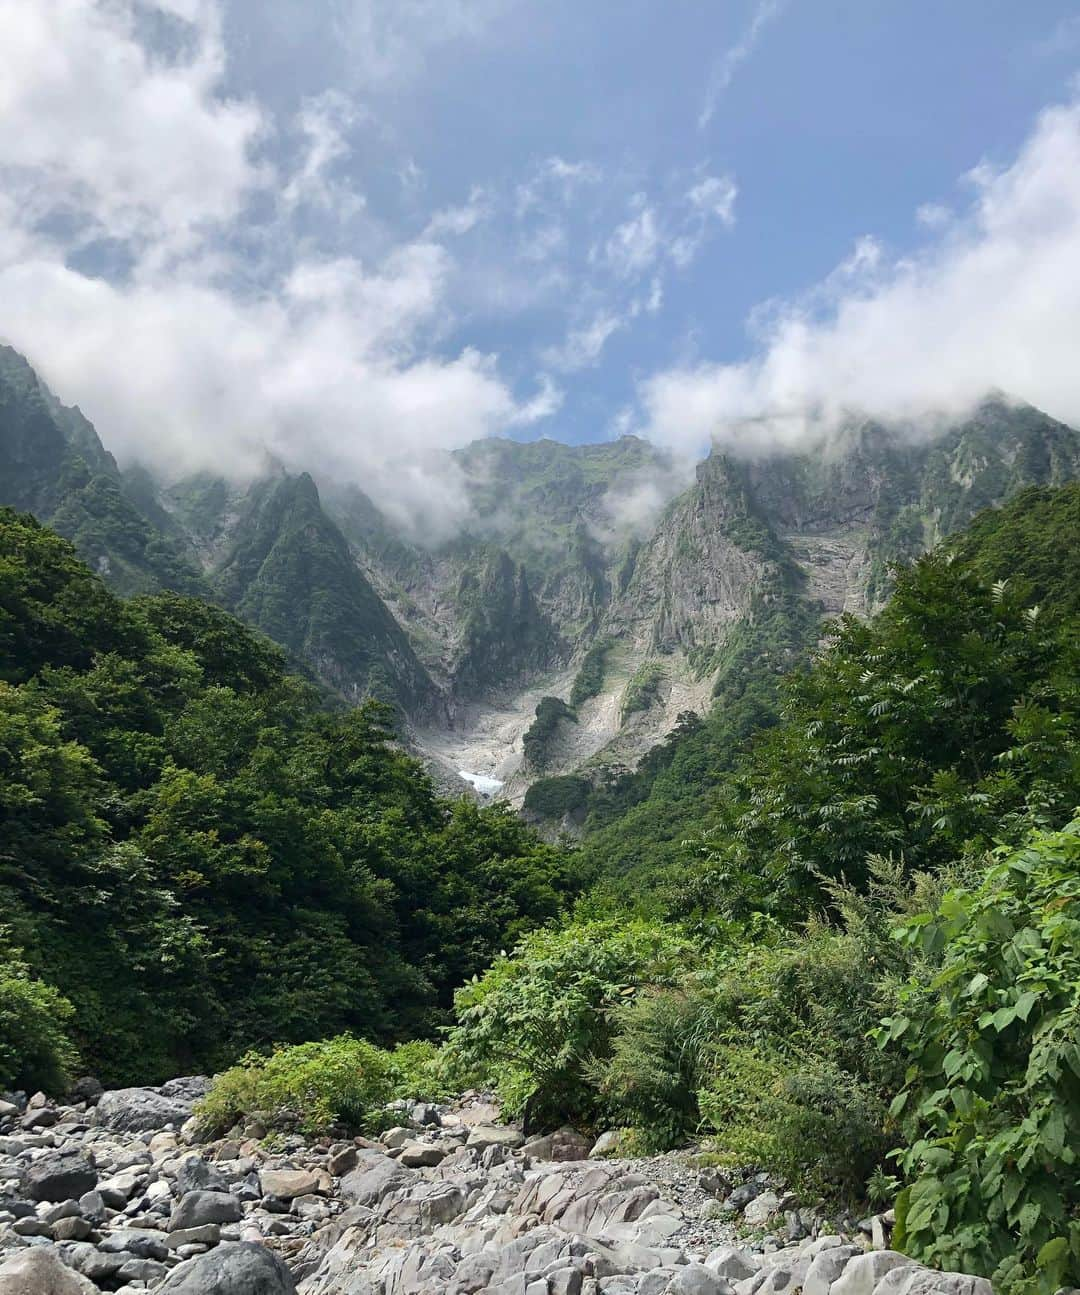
<point>200,358</point>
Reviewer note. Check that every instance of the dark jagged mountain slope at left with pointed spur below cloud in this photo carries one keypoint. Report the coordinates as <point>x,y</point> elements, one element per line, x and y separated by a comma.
<point>270,554</point>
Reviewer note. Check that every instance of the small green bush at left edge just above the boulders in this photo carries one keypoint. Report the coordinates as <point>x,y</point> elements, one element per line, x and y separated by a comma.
<point>36,1052</point>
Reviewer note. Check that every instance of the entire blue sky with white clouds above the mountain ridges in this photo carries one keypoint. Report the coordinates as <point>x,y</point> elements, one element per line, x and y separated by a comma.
<point>355,231</point>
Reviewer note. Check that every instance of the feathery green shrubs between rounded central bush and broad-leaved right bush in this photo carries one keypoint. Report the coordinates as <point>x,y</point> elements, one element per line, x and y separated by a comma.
<point>766,1046</point>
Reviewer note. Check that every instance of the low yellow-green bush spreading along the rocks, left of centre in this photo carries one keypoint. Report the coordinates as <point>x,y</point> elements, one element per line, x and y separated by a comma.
<point>315,1086</point>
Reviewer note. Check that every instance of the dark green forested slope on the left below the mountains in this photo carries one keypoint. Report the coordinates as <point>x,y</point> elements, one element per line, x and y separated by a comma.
<point>201,859</point>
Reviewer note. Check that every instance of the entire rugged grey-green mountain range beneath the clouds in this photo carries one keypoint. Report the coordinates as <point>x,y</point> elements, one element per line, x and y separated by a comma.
<point>592,576</point>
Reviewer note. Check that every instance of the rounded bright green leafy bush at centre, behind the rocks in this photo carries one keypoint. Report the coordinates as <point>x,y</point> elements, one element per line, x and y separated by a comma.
<point>538,1021</point>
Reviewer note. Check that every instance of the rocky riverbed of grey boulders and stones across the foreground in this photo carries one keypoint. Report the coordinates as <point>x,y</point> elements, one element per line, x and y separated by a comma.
<point>117,1192</point>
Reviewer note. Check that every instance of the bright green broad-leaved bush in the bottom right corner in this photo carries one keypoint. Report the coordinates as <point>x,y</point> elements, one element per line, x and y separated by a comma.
<point>991,1110</point>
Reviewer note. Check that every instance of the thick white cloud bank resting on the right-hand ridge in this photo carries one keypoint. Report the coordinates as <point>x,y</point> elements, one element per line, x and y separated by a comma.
<point>993,305</point>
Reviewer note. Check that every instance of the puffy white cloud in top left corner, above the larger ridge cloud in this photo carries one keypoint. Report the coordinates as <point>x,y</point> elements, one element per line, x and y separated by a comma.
<point>134,146</point>
